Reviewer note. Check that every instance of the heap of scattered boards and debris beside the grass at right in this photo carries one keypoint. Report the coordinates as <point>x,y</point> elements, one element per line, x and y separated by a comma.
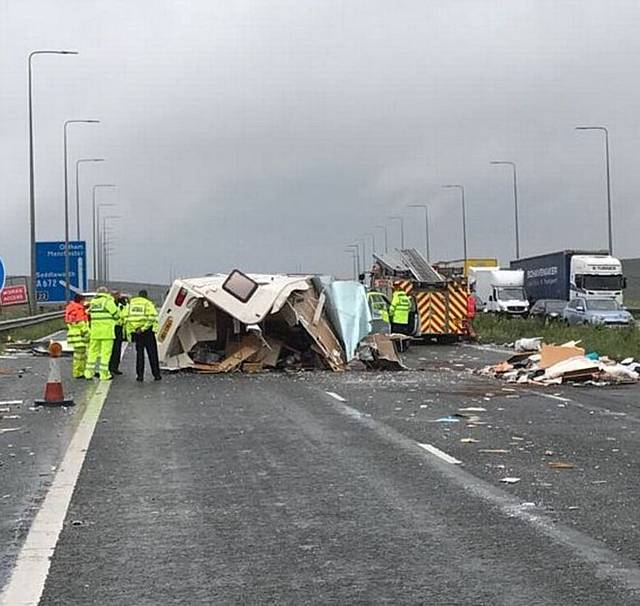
<point>545,364</point>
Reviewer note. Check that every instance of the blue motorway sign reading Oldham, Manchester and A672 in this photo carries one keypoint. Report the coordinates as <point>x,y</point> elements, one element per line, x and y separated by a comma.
<point>50,274</point>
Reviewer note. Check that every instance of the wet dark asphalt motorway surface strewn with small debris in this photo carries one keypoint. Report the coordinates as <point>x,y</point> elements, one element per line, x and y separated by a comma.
<point>357,488</point>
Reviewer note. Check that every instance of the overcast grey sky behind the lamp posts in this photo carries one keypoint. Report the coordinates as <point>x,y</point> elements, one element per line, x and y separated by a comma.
<point>267,135</point>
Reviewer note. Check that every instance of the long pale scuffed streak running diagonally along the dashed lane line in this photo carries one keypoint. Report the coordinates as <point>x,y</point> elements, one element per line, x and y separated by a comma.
<point>607,564</point>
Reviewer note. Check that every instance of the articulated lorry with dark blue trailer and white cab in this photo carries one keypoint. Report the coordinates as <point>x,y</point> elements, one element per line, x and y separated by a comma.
<point>572,273</point>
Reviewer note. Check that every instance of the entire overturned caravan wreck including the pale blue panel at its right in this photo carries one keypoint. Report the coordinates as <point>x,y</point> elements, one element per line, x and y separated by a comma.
<point>256,322</point>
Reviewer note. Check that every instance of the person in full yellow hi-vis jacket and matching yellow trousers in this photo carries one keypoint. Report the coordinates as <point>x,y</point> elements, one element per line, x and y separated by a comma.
<point>103,315</point>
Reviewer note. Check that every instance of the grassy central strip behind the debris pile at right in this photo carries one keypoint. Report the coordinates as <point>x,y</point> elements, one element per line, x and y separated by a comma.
<point>617,343</point>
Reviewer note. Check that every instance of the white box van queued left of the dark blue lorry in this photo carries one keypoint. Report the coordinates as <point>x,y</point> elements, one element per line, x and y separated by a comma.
<point>499,290</point>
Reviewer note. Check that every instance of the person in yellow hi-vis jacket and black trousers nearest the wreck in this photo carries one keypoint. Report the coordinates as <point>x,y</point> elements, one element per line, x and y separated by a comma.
<point>141,324</point>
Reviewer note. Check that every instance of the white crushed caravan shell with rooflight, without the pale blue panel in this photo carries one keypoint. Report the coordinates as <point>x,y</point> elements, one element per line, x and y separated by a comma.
<point>225,322</point>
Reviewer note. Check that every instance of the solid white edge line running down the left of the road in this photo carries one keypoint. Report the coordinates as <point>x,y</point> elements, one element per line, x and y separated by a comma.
<point>32,567</point>
